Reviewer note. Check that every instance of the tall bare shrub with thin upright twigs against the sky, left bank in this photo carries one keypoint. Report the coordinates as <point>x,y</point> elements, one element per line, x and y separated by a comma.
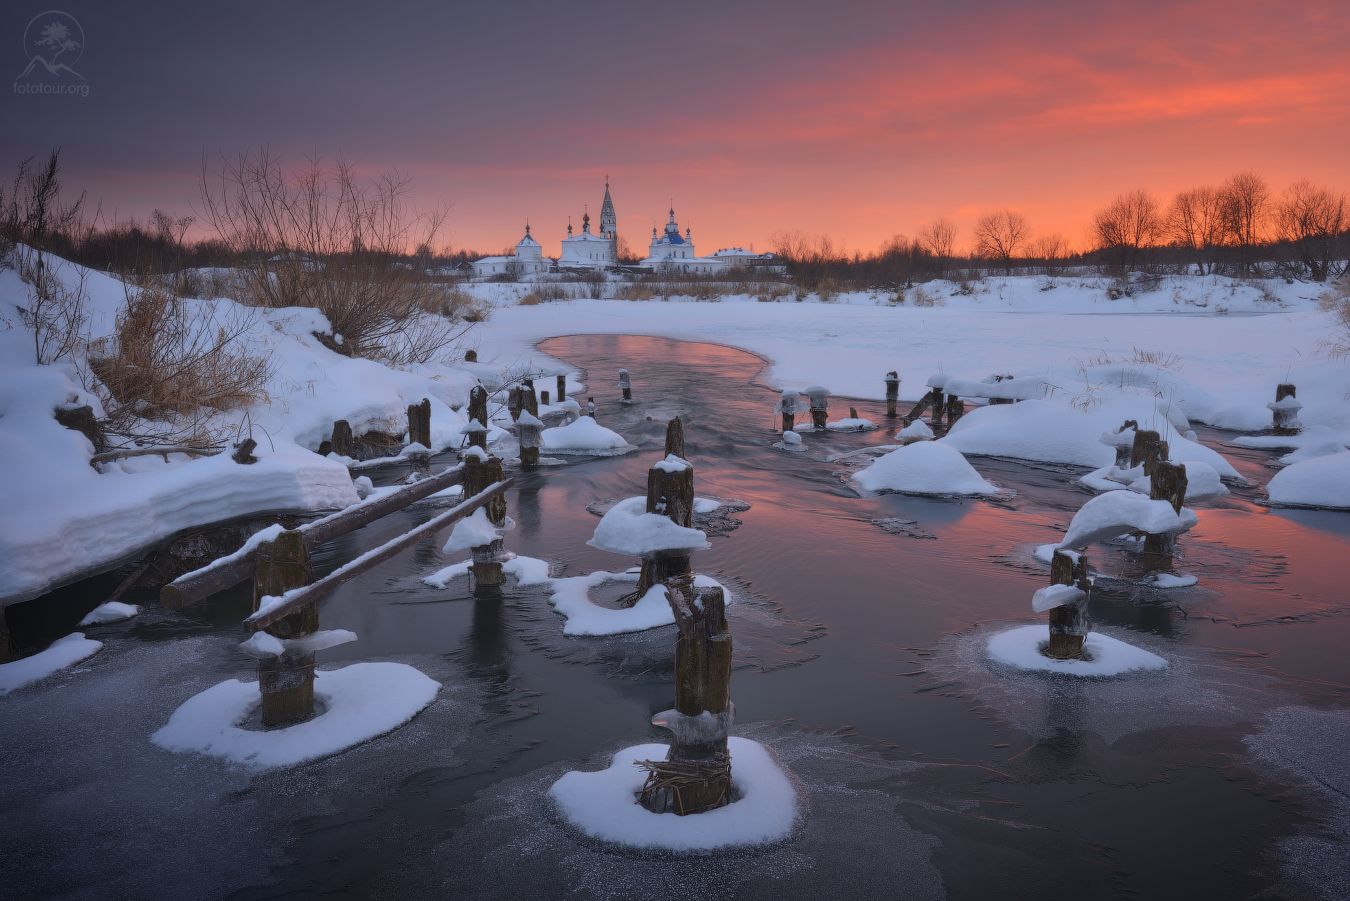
<point>323,238</point>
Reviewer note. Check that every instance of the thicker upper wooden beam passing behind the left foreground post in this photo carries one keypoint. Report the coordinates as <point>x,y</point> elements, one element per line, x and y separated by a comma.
<point>198,586</point>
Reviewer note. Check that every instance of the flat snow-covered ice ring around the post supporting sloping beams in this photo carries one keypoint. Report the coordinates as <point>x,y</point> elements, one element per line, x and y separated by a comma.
<point>362,702</point>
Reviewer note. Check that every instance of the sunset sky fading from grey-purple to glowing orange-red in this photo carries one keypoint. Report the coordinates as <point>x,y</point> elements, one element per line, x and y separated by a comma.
<point>857,120</point>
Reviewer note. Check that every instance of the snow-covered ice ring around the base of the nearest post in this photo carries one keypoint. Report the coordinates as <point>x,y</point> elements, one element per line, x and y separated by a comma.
<point>603,804</point>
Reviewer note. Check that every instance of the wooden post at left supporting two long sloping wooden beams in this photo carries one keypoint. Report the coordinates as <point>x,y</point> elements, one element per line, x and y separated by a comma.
<point>287,680</point>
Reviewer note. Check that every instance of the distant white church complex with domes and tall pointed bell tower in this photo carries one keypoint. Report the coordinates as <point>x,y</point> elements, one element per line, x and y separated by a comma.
<point>587,251</point>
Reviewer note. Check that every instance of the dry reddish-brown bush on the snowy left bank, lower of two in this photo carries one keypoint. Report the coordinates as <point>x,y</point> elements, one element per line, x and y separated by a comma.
<point>173,364</point>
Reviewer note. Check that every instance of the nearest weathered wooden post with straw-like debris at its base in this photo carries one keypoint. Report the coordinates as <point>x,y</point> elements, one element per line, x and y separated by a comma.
<point>697,772</point>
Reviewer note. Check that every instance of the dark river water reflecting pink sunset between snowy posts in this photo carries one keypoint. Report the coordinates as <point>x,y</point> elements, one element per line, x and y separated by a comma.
<point>859,627</point>
